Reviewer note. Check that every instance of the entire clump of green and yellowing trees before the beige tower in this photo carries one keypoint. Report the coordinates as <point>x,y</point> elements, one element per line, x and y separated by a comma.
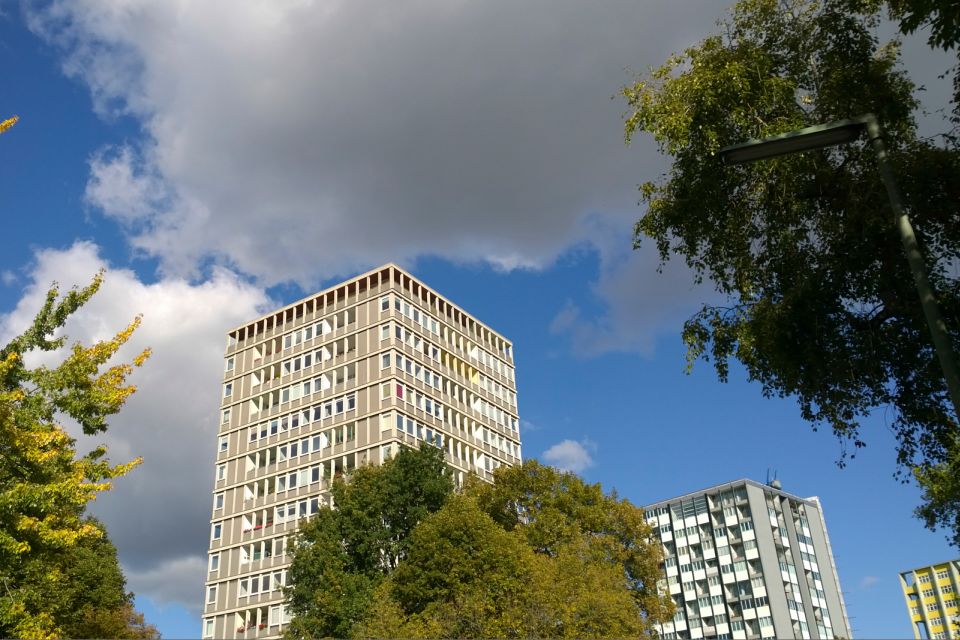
<point>537,554</point>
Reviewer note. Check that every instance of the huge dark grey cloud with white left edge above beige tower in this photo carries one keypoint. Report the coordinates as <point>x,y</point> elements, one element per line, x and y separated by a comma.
<point>302,140</point>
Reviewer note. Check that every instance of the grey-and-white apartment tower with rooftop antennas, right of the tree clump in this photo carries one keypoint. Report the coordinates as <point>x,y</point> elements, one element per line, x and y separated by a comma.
<point>747,560</point>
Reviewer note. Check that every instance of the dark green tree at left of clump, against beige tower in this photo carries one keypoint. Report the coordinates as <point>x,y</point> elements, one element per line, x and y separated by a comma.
<point>339,557</point>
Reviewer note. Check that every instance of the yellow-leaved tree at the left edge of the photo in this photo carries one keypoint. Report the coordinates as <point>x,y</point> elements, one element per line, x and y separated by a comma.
<point>46,542</point>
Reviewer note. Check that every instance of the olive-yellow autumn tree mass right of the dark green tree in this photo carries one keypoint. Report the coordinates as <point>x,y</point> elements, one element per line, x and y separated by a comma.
<point>538,554</point>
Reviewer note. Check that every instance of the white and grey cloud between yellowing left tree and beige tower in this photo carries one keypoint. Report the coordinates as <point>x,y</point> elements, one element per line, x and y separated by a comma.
<point>158,514</point>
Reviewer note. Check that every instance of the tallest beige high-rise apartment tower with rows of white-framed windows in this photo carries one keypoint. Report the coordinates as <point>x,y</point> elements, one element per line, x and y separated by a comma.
<point>337,380</point>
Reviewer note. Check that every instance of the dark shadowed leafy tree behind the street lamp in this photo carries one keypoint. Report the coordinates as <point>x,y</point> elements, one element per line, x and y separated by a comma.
<point>819,302</point>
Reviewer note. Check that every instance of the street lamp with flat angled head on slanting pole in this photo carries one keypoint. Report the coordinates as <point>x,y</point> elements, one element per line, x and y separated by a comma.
<point>842,132</point>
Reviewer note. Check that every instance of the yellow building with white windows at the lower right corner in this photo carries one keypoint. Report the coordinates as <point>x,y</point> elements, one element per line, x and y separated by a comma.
<point>931,594</point>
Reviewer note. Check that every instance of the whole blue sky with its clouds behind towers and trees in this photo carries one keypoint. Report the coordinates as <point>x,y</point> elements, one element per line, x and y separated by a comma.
<point>222,158</point>
